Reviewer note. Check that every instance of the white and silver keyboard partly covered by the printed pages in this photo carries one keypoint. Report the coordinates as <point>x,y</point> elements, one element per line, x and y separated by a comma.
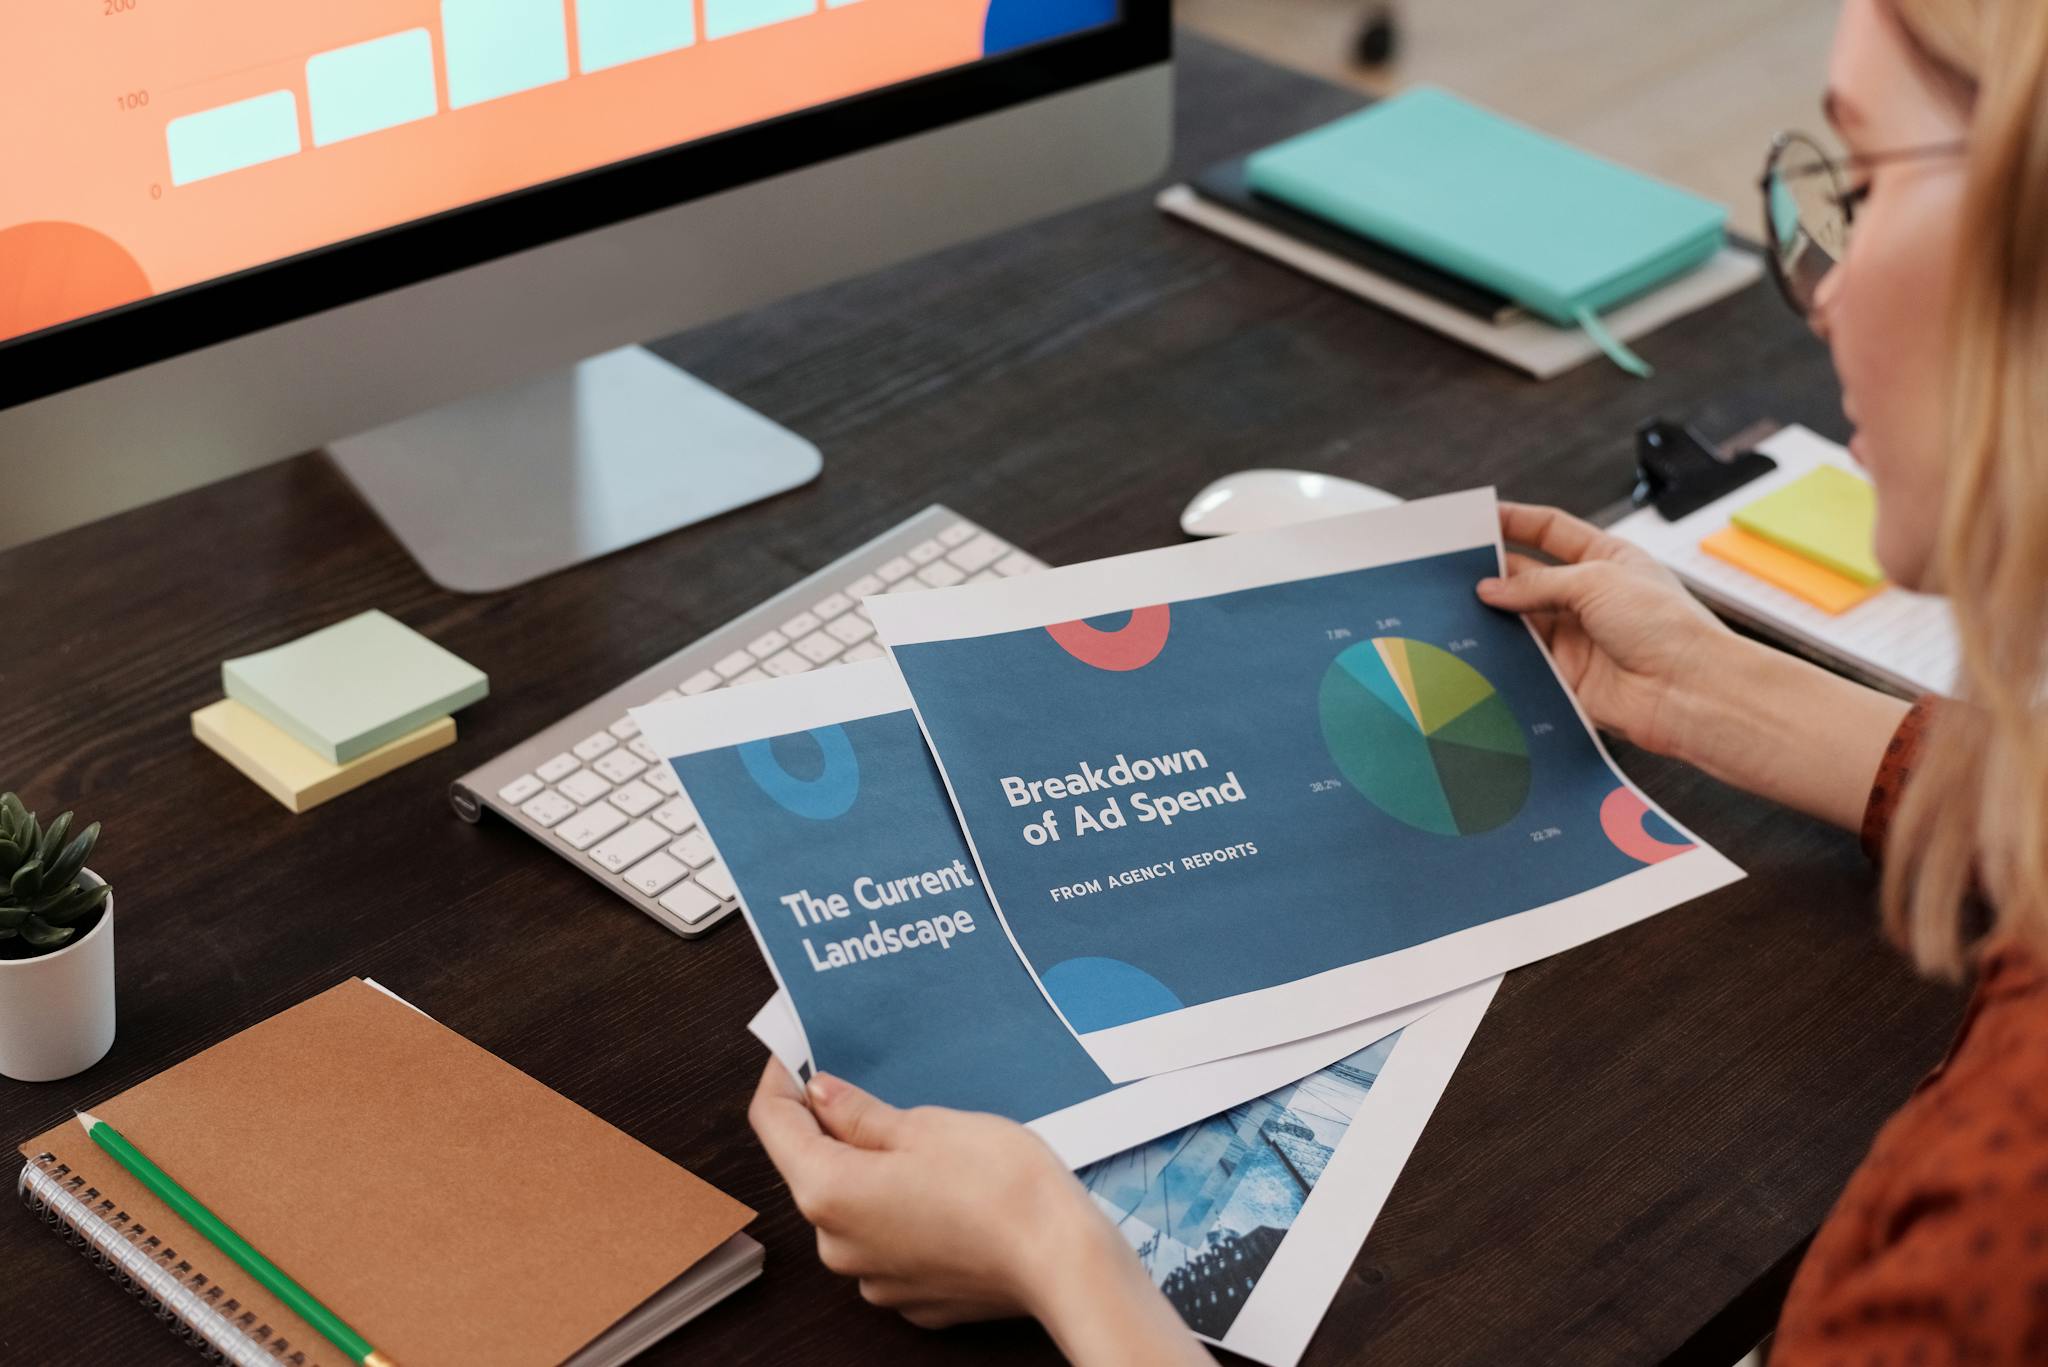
<point>597,794</point>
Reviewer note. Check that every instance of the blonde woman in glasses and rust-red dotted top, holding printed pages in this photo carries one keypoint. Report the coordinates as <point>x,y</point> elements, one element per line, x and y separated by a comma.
<point>1922,261</point>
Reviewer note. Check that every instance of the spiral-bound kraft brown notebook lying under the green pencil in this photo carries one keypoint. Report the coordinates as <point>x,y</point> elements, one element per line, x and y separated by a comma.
<point>439,1200</point>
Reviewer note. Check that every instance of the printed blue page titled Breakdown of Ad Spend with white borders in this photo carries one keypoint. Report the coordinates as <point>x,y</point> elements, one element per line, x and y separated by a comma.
<point>1236,792</point>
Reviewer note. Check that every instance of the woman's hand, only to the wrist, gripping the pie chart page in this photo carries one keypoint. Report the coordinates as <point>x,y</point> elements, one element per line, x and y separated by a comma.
<point>1627,636</point>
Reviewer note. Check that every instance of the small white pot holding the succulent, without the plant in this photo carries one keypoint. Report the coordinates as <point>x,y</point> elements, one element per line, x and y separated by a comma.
<point>58,1011</point>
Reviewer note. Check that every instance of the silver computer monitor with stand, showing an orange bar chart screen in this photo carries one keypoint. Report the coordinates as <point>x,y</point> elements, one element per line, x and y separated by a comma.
<point>427,235</point>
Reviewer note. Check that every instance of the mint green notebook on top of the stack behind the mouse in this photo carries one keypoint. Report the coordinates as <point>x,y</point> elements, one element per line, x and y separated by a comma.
<point>1562,233</point>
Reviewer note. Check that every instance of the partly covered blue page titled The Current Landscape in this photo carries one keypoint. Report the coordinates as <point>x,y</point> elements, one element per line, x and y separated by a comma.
<point>822,800</point>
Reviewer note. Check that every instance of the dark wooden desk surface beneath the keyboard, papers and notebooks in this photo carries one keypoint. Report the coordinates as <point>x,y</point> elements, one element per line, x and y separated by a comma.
<point>1644,1128</point>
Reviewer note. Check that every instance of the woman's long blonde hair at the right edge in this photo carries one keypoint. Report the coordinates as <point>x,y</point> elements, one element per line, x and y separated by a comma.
<point>1975,817</point>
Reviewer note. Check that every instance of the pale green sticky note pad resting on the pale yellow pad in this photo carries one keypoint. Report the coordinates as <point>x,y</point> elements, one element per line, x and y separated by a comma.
<point>353,688</point>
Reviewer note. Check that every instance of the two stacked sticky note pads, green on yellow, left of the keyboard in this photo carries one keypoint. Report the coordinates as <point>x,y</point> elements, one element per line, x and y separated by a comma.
<point>339,708</point>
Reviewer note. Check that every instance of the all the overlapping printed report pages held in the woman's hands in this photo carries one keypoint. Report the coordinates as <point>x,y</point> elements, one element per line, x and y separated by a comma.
<point>1201,862</point>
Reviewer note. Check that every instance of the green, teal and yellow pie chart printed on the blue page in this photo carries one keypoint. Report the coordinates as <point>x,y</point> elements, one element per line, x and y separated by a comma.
<point>1424,737</point>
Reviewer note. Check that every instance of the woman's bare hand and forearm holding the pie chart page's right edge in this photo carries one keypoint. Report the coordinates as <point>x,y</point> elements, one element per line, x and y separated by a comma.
<point>1656,667</point>
